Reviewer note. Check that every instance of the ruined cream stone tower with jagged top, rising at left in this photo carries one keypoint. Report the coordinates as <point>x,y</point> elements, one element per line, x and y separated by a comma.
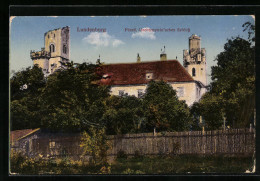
<point>56,51</point>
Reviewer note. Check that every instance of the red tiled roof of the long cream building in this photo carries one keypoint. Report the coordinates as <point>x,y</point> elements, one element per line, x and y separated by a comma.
<point>135,73</point>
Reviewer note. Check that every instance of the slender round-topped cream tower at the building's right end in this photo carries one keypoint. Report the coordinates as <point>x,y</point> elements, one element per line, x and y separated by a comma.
<point>194,60</point>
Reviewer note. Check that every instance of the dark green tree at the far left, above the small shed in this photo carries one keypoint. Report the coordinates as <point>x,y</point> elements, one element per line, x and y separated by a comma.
<point>25,88</point>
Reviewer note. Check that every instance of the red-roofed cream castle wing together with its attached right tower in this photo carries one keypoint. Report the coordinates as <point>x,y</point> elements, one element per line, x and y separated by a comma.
<point>189,81</point>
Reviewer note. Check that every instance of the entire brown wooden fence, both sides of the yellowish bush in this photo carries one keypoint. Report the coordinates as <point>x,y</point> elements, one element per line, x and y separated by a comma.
<point>229,142</point>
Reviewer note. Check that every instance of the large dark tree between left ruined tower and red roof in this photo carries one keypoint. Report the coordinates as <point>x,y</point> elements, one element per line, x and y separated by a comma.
<point>73,99</point>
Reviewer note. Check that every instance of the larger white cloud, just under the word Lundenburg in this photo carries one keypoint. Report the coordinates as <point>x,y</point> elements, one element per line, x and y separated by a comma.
<point>102,39</point>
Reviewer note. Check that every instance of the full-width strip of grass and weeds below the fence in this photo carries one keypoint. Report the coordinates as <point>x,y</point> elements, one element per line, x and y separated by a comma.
<point>184,164</point>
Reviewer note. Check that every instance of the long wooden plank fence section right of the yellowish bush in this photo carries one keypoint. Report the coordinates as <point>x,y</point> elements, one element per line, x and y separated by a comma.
<point>235,141</point>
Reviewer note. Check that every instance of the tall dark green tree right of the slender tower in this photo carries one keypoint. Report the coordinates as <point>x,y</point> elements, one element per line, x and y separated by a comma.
<point>234,82</point>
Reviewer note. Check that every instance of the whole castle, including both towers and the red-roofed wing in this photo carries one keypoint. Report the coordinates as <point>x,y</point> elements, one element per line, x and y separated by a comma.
<point>189,80</point>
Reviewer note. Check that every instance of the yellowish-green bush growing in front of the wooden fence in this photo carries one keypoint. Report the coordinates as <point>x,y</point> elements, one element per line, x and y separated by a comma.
<point>95,144</point>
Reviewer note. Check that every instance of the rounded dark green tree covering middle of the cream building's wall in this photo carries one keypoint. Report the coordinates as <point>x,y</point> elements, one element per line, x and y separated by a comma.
<point>163,110</point>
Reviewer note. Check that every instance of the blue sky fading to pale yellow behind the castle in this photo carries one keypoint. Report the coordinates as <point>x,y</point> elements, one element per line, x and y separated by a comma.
<point>120,38</point>
